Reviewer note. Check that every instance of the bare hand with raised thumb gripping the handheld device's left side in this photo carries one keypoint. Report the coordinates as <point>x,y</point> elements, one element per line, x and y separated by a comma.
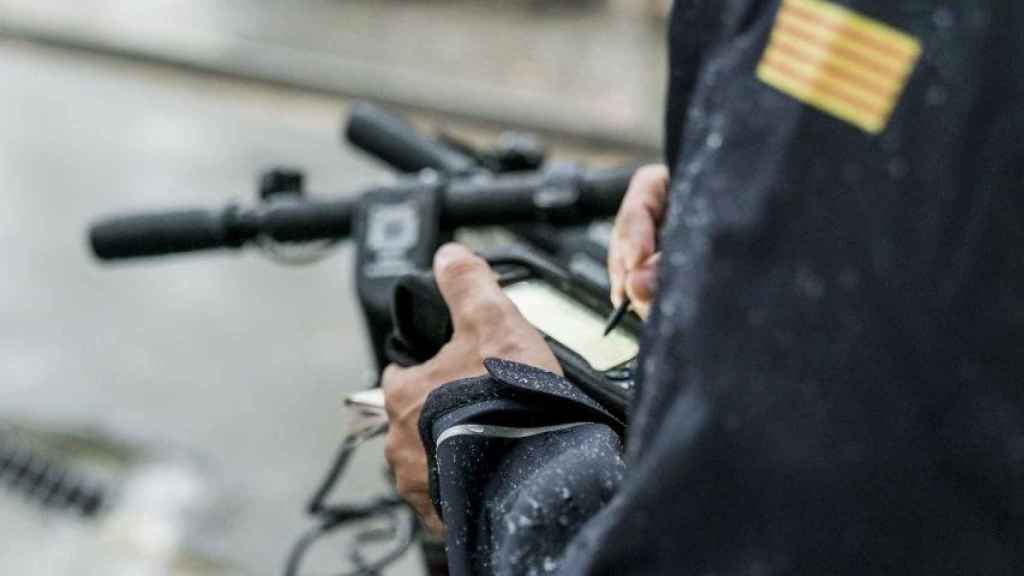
<point>487,324</point>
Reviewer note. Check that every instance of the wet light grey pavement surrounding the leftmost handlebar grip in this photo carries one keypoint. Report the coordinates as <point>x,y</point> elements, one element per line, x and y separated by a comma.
<point>240,361</point>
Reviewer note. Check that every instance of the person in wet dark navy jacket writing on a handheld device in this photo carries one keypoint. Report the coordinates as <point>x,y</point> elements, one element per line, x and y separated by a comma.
<point>832,366</point>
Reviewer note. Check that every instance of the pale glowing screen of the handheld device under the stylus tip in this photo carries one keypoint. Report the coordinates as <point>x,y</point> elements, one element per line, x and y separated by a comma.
<point>573,325</point>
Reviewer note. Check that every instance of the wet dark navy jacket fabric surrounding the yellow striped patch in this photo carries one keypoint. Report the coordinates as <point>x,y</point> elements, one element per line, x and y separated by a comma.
<point>833,376</point>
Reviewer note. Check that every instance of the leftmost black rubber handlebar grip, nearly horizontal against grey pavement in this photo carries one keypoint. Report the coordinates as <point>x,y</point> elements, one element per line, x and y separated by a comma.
<point>152,235</point>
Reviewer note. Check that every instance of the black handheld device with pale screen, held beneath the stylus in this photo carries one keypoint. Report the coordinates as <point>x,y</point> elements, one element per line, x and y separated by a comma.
<point>568,311</point>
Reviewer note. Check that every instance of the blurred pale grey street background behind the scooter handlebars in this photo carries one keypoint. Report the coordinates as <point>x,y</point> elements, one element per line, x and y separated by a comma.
<point>190,406</point>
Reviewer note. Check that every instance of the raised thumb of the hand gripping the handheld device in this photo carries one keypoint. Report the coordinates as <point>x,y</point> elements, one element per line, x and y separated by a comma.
<point>471,290</point>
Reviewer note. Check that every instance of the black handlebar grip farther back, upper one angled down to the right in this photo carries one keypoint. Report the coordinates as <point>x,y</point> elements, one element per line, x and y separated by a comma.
<point>393,140</point>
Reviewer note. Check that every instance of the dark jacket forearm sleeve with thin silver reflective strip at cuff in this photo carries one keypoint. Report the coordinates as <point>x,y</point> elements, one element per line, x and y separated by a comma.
<point>520,460</point>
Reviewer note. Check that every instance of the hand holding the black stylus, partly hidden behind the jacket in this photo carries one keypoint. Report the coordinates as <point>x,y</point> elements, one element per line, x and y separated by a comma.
<point>632,256</point>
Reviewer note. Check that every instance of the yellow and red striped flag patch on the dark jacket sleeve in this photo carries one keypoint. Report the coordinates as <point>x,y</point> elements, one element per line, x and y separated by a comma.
<point>839,62</point>
